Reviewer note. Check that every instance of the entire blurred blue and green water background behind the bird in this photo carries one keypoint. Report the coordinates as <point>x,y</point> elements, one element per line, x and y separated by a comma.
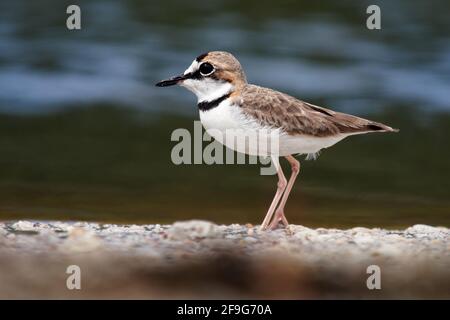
<point>84,134</point>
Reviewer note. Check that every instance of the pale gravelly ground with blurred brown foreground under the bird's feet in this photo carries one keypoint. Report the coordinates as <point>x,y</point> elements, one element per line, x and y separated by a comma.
<point>203,260</point>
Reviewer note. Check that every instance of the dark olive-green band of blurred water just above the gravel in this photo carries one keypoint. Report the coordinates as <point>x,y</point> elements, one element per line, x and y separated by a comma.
<point>113,164</point>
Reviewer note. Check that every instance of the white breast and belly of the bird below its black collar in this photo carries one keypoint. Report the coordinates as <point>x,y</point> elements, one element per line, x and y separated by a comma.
<point>230,126</point>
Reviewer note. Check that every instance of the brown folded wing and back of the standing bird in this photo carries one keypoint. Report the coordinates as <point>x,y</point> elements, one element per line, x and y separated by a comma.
<point>273,108</point>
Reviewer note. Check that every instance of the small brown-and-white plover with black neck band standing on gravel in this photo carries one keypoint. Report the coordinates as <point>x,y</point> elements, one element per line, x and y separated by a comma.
<point>227,102</point>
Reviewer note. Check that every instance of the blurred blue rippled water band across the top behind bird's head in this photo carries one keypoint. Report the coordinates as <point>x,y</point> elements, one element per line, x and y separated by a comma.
<point>324,55</point>
